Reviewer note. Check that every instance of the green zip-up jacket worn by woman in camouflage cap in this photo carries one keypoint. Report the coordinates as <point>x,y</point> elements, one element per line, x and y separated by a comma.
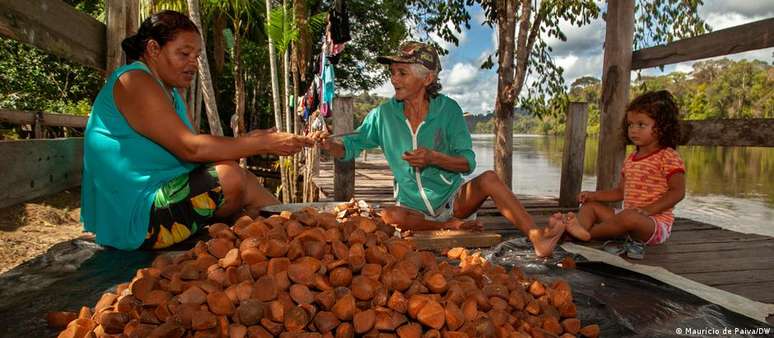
<point>443,130</point>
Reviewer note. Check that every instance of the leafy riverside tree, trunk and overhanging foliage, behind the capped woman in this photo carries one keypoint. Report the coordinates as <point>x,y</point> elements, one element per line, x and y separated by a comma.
<point>523,51</point>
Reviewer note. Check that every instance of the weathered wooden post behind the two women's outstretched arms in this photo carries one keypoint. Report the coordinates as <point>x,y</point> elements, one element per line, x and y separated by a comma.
<point>344,171</point>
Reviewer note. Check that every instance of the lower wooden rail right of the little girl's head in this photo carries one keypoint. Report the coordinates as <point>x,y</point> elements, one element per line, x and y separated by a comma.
<point>728,132</point>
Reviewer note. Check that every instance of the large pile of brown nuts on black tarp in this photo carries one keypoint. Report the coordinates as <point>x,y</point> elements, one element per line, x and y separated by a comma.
<point>307,274</point>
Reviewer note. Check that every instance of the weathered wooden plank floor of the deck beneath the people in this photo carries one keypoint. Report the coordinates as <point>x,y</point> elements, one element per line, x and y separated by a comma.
<point>739,263</point>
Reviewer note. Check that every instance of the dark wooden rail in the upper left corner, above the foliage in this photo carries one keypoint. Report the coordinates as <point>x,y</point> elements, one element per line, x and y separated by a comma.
<point>55,27</point>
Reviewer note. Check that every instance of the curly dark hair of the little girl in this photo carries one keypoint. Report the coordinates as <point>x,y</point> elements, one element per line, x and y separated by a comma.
<point>660,106</point>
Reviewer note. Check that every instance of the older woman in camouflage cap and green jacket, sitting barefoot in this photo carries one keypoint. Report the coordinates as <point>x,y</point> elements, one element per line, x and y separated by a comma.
<point>428,148</point>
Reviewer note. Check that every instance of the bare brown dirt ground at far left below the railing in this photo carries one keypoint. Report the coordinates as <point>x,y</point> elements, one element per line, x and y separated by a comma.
<point>29,229</point>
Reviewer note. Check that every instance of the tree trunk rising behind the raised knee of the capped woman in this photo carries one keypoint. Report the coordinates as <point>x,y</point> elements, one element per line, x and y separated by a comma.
<point>506,28</point>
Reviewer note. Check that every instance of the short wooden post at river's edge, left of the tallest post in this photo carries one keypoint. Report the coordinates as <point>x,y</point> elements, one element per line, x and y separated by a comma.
<point>572,156</point>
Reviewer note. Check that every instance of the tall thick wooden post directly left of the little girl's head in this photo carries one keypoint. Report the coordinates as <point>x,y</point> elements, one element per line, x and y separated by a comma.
<point>616,76</point>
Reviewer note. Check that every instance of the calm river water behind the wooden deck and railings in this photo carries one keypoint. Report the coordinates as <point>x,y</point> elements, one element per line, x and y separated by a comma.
<point>731,187</point>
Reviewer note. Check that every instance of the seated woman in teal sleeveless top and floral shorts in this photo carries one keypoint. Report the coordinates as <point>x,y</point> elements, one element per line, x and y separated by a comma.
<point>148,179</point>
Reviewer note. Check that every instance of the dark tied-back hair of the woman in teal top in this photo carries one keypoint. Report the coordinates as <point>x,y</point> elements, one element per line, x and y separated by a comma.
<point>160,27</point>
